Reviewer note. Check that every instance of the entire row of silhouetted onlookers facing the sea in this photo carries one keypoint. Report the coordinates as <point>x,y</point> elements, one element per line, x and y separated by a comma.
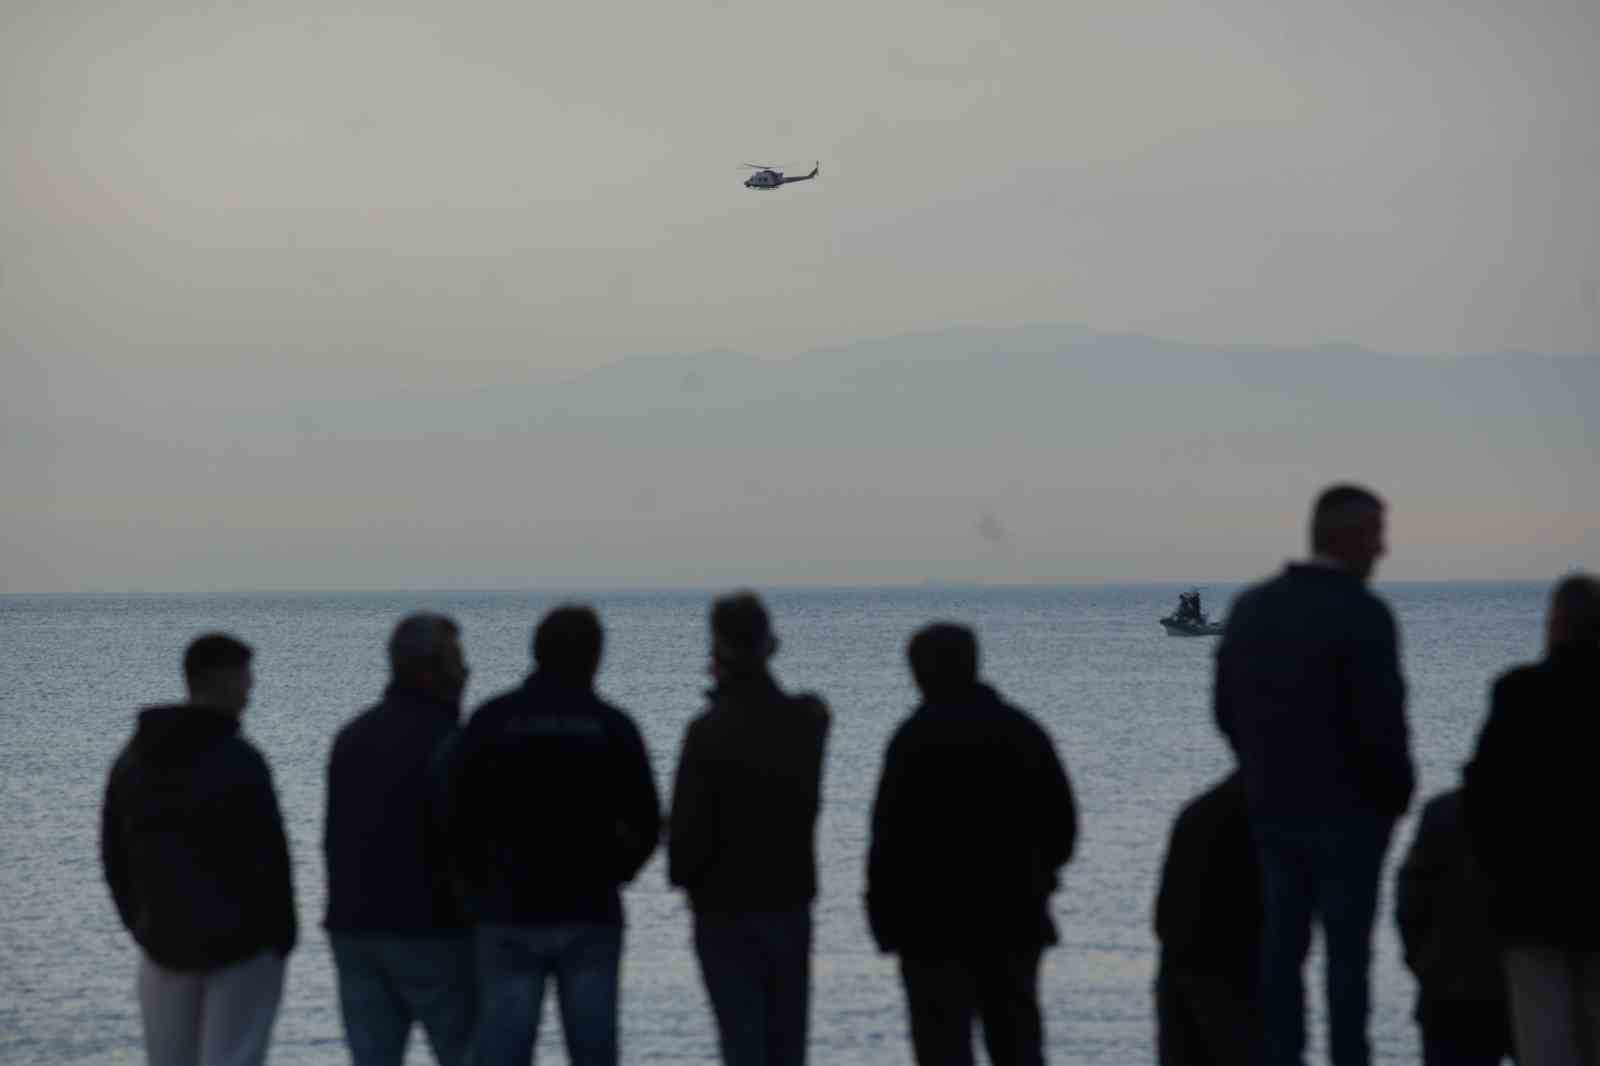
<point>470,864</point>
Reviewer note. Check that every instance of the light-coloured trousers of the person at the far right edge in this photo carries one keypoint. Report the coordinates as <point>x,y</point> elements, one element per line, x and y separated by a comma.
<point>1554,1006</point>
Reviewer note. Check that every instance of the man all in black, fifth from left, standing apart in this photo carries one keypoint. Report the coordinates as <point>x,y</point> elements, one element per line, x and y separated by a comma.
<point>972,824</point>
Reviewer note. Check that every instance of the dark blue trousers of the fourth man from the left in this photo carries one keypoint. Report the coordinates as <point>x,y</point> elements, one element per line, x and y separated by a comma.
<point>758,971</point>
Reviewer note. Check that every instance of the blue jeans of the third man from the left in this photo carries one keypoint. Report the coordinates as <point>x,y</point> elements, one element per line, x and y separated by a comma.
<point>514,963</point>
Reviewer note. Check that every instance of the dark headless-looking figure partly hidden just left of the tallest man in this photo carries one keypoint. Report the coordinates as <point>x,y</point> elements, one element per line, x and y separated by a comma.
<point>1209,921</point>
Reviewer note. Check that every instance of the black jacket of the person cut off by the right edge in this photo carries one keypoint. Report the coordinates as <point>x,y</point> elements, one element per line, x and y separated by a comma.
<point>1532,806</point>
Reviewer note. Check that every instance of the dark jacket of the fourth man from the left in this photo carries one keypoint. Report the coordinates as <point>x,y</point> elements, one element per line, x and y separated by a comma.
<point>746,799</point>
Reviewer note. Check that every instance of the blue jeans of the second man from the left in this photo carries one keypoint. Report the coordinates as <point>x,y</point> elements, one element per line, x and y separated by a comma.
<point>390,982</point>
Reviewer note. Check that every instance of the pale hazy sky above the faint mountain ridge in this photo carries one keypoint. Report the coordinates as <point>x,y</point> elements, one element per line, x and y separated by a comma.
<point>236,207</point>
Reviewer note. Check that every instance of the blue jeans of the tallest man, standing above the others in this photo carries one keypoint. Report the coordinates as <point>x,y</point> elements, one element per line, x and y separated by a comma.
<point>1324,870</point>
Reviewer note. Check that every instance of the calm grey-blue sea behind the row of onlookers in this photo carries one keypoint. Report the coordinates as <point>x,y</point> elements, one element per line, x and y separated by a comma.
<point>1127,705</point>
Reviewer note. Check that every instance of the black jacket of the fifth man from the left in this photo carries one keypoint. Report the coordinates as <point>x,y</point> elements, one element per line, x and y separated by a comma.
<point>972,824</point>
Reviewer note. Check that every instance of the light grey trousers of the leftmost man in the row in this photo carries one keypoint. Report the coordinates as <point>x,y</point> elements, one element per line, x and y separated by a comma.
<point>215,1019</point>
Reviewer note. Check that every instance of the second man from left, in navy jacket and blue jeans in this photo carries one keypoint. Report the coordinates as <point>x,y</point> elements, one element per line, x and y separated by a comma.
<point>401,940</point>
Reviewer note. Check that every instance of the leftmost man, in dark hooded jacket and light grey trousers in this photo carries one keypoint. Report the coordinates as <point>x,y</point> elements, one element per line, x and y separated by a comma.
<point>194,851</point>
